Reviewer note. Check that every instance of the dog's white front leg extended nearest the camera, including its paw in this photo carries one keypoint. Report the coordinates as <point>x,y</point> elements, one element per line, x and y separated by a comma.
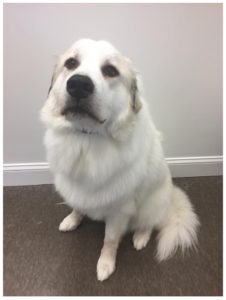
<point>114,230</point>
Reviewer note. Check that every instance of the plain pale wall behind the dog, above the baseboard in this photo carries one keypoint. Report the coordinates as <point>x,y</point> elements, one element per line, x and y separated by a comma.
<point>176,47</point>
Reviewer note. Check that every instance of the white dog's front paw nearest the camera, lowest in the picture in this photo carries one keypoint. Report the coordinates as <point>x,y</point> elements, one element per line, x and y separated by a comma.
<point>105,267</point>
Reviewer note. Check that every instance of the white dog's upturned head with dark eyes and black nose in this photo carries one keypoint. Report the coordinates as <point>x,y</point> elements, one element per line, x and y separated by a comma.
<point>93,89</point>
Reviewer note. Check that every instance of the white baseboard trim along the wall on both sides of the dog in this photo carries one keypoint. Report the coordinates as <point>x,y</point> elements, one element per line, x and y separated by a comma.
<point>39,173</point>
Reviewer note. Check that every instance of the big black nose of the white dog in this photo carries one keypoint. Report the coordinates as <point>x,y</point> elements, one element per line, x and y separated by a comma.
<point>80,86</point>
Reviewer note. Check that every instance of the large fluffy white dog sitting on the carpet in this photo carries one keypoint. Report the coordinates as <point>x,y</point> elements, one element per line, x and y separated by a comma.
<point>106,155</point>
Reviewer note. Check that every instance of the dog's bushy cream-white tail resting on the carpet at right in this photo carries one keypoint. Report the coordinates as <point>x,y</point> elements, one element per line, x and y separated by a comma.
<point>180,228</point>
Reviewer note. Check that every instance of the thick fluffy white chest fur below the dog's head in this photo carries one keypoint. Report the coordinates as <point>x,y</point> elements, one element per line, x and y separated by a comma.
<point>94,173</point>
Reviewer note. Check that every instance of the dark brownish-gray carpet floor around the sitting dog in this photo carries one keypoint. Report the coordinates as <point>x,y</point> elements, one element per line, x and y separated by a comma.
<point>41,261</point>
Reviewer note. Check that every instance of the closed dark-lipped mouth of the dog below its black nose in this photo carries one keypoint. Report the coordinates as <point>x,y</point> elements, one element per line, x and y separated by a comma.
<point>81,111</point>
